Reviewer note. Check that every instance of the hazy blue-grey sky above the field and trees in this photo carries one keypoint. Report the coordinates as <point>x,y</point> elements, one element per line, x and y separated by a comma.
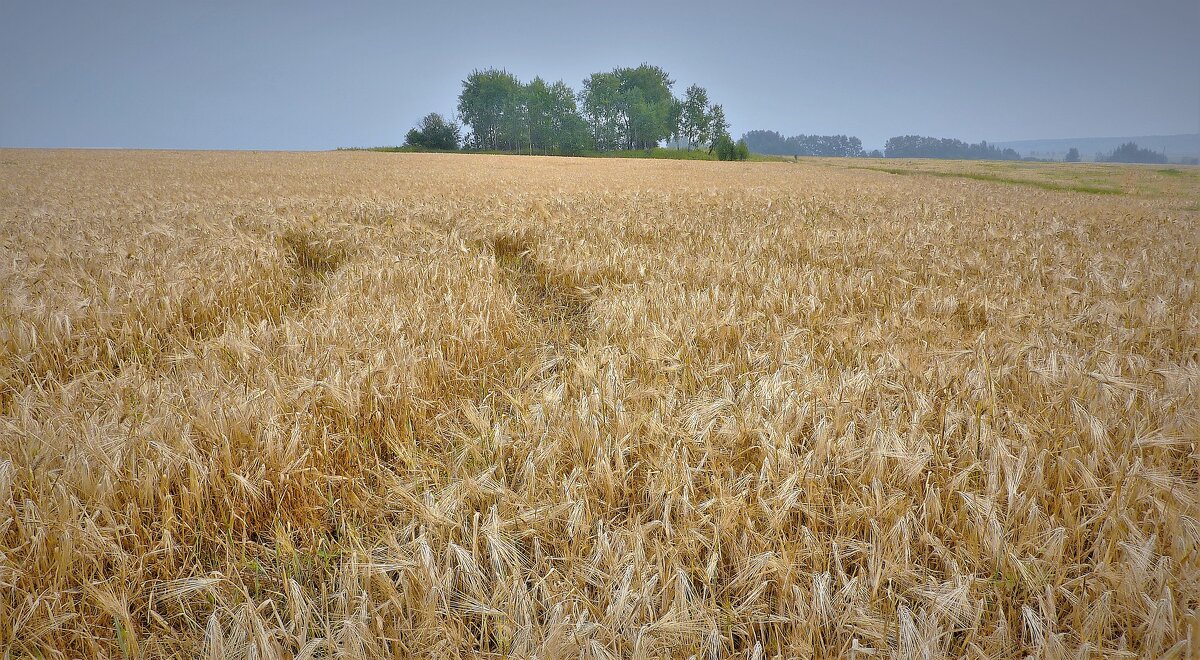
<point>322,75</point>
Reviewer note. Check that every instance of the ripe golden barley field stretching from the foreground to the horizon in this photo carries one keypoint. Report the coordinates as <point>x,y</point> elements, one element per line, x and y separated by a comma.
<point>395,405</point>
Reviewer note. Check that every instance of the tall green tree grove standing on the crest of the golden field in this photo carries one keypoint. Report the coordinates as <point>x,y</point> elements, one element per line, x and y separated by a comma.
<point>625,109</point>
